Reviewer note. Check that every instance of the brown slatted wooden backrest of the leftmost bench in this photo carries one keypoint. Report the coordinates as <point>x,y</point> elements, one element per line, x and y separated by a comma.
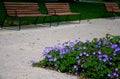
<point>21,8</point>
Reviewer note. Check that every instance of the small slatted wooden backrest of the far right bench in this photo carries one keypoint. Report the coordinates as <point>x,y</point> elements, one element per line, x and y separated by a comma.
<point>112,7</point>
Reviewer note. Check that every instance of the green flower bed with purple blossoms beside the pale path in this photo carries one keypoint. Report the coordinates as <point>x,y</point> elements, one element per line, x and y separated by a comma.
<point>96,59</point>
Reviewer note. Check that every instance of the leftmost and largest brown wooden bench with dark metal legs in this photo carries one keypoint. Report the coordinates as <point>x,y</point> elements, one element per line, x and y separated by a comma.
<point>21,9</point>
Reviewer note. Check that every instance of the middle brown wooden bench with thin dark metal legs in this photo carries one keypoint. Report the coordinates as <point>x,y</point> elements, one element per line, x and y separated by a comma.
<point>59,9</point>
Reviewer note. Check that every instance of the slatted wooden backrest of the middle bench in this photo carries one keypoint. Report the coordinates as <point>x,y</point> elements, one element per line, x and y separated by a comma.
<point>57,7</point>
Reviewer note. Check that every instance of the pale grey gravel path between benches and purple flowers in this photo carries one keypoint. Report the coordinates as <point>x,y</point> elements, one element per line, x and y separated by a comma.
<point>18,48</point>
